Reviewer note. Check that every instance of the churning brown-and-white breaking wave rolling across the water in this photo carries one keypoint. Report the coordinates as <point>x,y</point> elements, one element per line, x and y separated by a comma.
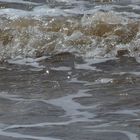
<point>99,34</point>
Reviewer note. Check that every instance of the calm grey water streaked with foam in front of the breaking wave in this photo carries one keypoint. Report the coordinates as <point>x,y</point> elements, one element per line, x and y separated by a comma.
<point>66,101</point>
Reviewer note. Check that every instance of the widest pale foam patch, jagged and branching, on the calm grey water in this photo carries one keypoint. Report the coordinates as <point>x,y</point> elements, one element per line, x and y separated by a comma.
<point>71,107</point>
